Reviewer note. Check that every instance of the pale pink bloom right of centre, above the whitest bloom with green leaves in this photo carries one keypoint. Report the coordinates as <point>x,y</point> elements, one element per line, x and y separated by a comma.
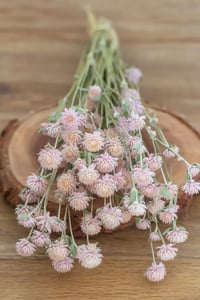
<point>142,177</point>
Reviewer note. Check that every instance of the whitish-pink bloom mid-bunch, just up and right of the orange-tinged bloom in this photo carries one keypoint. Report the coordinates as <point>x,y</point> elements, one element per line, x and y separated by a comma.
<point>88,175</point>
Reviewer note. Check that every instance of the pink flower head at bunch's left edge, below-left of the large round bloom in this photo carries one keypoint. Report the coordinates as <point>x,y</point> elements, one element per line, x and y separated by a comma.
<point>36,183</point>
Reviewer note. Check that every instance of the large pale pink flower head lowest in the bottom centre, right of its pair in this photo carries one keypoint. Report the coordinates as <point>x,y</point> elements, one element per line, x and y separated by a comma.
<point>89,255</point>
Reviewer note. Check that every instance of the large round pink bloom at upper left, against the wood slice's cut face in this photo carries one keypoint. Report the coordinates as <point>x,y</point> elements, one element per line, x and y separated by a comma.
<point>50,158</point>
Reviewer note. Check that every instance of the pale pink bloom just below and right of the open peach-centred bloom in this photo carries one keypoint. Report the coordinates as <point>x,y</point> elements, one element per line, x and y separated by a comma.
<point>105,163</point>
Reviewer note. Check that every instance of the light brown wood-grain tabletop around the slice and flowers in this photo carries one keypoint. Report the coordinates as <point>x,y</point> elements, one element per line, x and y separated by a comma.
<point>40,45</point>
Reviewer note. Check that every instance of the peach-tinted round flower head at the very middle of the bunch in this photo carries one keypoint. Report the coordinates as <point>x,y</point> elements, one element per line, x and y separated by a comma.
<point>105,186</point>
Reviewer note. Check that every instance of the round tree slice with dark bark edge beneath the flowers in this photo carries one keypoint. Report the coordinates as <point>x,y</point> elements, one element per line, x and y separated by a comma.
<point>20,142</point>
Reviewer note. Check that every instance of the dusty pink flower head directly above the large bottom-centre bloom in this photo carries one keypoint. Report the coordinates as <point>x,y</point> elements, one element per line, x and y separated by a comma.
<point>90,225</point>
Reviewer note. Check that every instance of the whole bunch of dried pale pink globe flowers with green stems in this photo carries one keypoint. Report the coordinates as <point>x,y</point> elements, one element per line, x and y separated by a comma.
<point>97,150</point>
